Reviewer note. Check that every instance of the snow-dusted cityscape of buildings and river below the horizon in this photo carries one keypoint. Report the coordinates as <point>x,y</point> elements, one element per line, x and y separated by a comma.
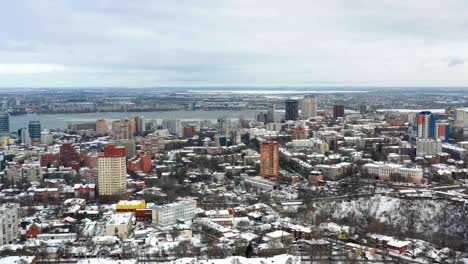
<point>314,177</point>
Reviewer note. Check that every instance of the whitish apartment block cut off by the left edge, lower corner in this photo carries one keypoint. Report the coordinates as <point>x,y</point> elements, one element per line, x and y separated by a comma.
<point>9,221</point>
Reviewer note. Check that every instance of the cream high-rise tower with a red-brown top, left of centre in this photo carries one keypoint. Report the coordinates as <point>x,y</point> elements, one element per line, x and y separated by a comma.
<point>112,172</point>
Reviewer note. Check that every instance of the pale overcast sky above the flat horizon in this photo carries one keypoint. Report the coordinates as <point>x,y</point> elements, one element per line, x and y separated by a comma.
<point>243,42</point>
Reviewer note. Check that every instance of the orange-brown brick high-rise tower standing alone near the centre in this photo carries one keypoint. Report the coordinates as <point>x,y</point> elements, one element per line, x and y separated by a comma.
<point>269,159</point>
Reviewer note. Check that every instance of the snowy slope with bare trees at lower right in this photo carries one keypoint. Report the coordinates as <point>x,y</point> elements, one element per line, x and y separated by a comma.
<point>429,217</point>
